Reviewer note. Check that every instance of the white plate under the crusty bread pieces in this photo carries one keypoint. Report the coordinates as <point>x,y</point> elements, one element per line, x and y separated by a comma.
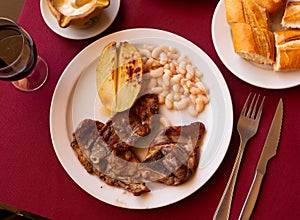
<point>256,75</point>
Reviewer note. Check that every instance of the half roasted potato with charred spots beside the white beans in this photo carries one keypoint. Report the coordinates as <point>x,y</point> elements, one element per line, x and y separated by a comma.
<point>119,76</point>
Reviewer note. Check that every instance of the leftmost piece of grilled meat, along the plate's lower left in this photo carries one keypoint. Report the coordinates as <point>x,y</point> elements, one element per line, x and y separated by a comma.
<point>116,167</point>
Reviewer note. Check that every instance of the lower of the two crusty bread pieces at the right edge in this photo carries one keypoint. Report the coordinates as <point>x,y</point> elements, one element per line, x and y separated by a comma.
<point>287,50</point>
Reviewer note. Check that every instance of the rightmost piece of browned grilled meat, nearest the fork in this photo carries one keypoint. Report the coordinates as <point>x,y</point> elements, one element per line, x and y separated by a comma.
<point>173,155</point>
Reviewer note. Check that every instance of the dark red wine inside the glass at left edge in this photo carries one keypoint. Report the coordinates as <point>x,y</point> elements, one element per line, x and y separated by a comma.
<point>18,53</point>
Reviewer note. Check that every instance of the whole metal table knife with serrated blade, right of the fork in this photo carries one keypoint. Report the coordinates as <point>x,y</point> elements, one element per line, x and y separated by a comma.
<point>269,151</point>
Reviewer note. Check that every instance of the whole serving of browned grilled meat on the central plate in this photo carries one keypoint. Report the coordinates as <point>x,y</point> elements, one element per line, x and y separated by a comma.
<point>106,150</point>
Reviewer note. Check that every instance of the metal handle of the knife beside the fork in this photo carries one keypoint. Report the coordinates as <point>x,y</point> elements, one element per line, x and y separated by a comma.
<point>251,197</point>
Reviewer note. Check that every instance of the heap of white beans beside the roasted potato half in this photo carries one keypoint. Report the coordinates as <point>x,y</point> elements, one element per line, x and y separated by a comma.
<point>175,80</point>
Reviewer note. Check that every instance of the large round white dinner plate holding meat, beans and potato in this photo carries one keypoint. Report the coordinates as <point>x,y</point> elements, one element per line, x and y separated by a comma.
<point>75,98</point>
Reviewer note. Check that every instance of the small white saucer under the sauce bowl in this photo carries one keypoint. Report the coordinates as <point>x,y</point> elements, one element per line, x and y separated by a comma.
<point>106,18</point>
